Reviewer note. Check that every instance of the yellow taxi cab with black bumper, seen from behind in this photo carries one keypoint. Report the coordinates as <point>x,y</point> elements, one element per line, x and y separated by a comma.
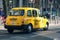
<point>25,18</point>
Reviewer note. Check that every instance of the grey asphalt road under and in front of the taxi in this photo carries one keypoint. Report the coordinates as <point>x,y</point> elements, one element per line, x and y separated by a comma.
<point>52,34</point>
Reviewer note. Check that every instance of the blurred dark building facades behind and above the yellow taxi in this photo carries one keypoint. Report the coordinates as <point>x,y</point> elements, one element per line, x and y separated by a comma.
<point>46,6</point>
